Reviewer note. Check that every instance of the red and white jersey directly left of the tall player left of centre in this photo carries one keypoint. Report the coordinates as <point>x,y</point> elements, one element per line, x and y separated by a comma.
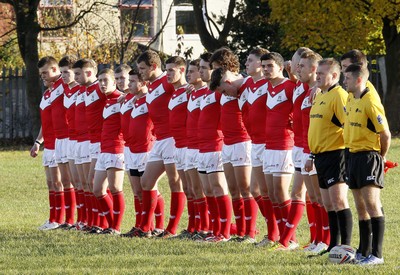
<point>141,127</point>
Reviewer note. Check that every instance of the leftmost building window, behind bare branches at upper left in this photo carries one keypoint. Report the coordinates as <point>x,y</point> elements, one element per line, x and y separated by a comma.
<point>56,13</point>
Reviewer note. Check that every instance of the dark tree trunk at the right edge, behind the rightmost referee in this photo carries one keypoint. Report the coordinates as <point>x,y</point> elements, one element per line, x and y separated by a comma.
<point>392,100</point>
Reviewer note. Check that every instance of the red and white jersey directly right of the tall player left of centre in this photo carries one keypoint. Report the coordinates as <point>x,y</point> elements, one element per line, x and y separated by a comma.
<point>177,116</point>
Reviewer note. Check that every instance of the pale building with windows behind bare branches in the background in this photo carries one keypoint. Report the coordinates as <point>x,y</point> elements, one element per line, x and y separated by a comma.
<point>113,21</point>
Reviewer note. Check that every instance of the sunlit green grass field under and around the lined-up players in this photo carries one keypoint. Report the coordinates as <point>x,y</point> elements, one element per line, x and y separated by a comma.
<point>26,250</point>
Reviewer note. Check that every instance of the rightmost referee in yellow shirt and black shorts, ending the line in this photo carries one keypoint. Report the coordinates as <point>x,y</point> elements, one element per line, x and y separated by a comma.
<point>368,141</point>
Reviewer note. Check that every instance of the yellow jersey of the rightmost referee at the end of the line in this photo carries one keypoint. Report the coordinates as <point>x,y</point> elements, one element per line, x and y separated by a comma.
<point>365,120</point>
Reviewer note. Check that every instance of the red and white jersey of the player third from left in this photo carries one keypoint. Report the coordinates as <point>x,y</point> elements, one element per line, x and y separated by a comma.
<point>94,102</point>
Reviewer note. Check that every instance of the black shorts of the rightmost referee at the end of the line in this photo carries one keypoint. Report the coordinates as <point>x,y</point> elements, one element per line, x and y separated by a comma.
<point>365,168</point>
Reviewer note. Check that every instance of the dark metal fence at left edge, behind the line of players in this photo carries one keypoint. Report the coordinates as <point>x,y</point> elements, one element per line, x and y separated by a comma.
<point>14,111</point>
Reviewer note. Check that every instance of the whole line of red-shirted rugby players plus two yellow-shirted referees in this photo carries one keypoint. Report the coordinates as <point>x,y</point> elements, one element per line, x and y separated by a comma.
<point>230,146</point>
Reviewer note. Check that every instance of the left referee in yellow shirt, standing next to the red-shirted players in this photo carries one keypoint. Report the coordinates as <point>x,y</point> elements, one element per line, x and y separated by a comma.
<point>325,139</point>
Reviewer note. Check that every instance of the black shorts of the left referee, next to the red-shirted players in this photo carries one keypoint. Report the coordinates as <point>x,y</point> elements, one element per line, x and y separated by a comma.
<point>330,168</point>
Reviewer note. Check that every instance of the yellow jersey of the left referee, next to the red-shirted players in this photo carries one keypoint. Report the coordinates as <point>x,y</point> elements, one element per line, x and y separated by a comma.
<point>327,116</point>
